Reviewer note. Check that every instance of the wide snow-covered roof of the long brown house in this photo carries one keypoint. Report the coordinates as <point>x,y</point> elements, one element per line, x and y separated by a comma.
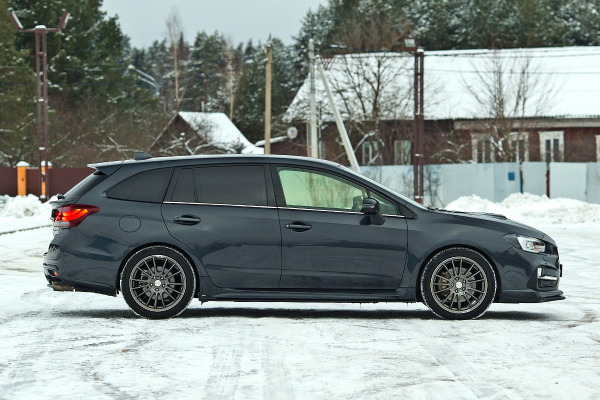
<point>458,84</point>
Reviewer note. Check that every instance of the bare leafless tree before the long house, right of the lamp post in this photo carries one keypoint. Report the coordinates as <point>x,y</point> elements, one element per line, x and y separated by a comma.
<point>509,90</point>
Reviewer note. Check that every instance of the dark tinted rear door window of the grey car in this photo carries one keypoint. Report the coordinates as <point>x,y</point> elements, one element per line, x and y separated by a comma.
<point>231,184</point>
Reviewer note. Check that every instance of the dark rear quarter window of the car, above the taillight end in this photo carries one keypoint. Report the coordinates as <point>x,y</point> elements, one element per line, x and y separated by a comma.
<point>147,186</point>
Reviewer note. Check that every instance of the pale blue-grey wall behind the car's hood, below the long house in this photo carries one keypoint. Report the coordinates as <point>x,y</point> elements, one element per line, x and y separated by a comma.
<point>447,182</point>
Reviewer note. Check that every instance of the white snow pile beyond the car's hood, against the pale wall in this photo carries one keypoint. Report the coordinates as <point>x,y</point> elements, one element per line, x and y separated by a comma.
<point>532,209</point>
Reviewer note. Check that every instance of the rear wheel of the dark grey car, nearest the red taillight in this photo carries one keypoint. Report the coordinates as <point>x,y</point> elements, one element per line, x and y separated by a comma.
<point>158,282</point>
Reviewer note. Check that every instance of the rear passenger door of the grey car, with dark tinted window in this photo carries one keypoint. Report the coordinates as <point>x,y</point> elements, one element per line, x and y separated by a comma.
<point>227,216</point>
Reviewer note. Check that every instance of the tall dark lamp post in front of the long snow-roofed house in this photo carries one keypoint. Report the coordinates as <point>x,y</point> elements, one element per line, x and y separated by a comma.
<point>418,130</point>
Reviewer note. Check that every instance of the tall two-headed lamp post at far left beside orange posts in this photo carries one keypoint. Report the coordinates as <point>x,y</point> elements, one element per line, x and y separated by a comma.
<point>41,83</point>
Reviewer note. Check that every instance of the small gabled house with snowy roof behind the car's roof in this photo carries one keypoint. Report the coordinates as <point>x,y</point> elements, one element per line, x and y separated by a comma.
<point>199,133</point>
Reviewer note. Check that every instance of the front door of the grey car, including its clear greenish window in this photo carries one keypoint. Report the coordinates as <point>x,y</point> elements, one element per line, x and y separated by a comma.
<point>327,243</point>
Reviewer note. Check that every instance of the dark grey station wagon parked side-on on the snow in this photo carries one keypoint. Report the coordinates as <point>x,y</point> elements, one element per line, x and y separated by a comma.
<point>163,231</point>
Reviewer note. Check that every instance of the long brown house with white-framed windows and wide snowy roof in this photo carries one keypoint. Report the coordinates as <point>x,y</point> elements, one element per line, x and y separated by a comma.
<point>469,96</point>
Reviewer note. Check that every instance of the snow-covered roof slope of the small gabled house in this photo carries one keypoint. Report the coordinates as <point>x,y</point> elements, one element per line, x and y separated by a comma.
<point>222,131</point>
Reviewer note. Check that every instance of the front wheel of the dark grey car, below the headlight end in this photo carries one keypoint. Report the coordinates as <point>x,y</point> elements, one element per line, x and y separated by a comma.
<point>458,284</point>
